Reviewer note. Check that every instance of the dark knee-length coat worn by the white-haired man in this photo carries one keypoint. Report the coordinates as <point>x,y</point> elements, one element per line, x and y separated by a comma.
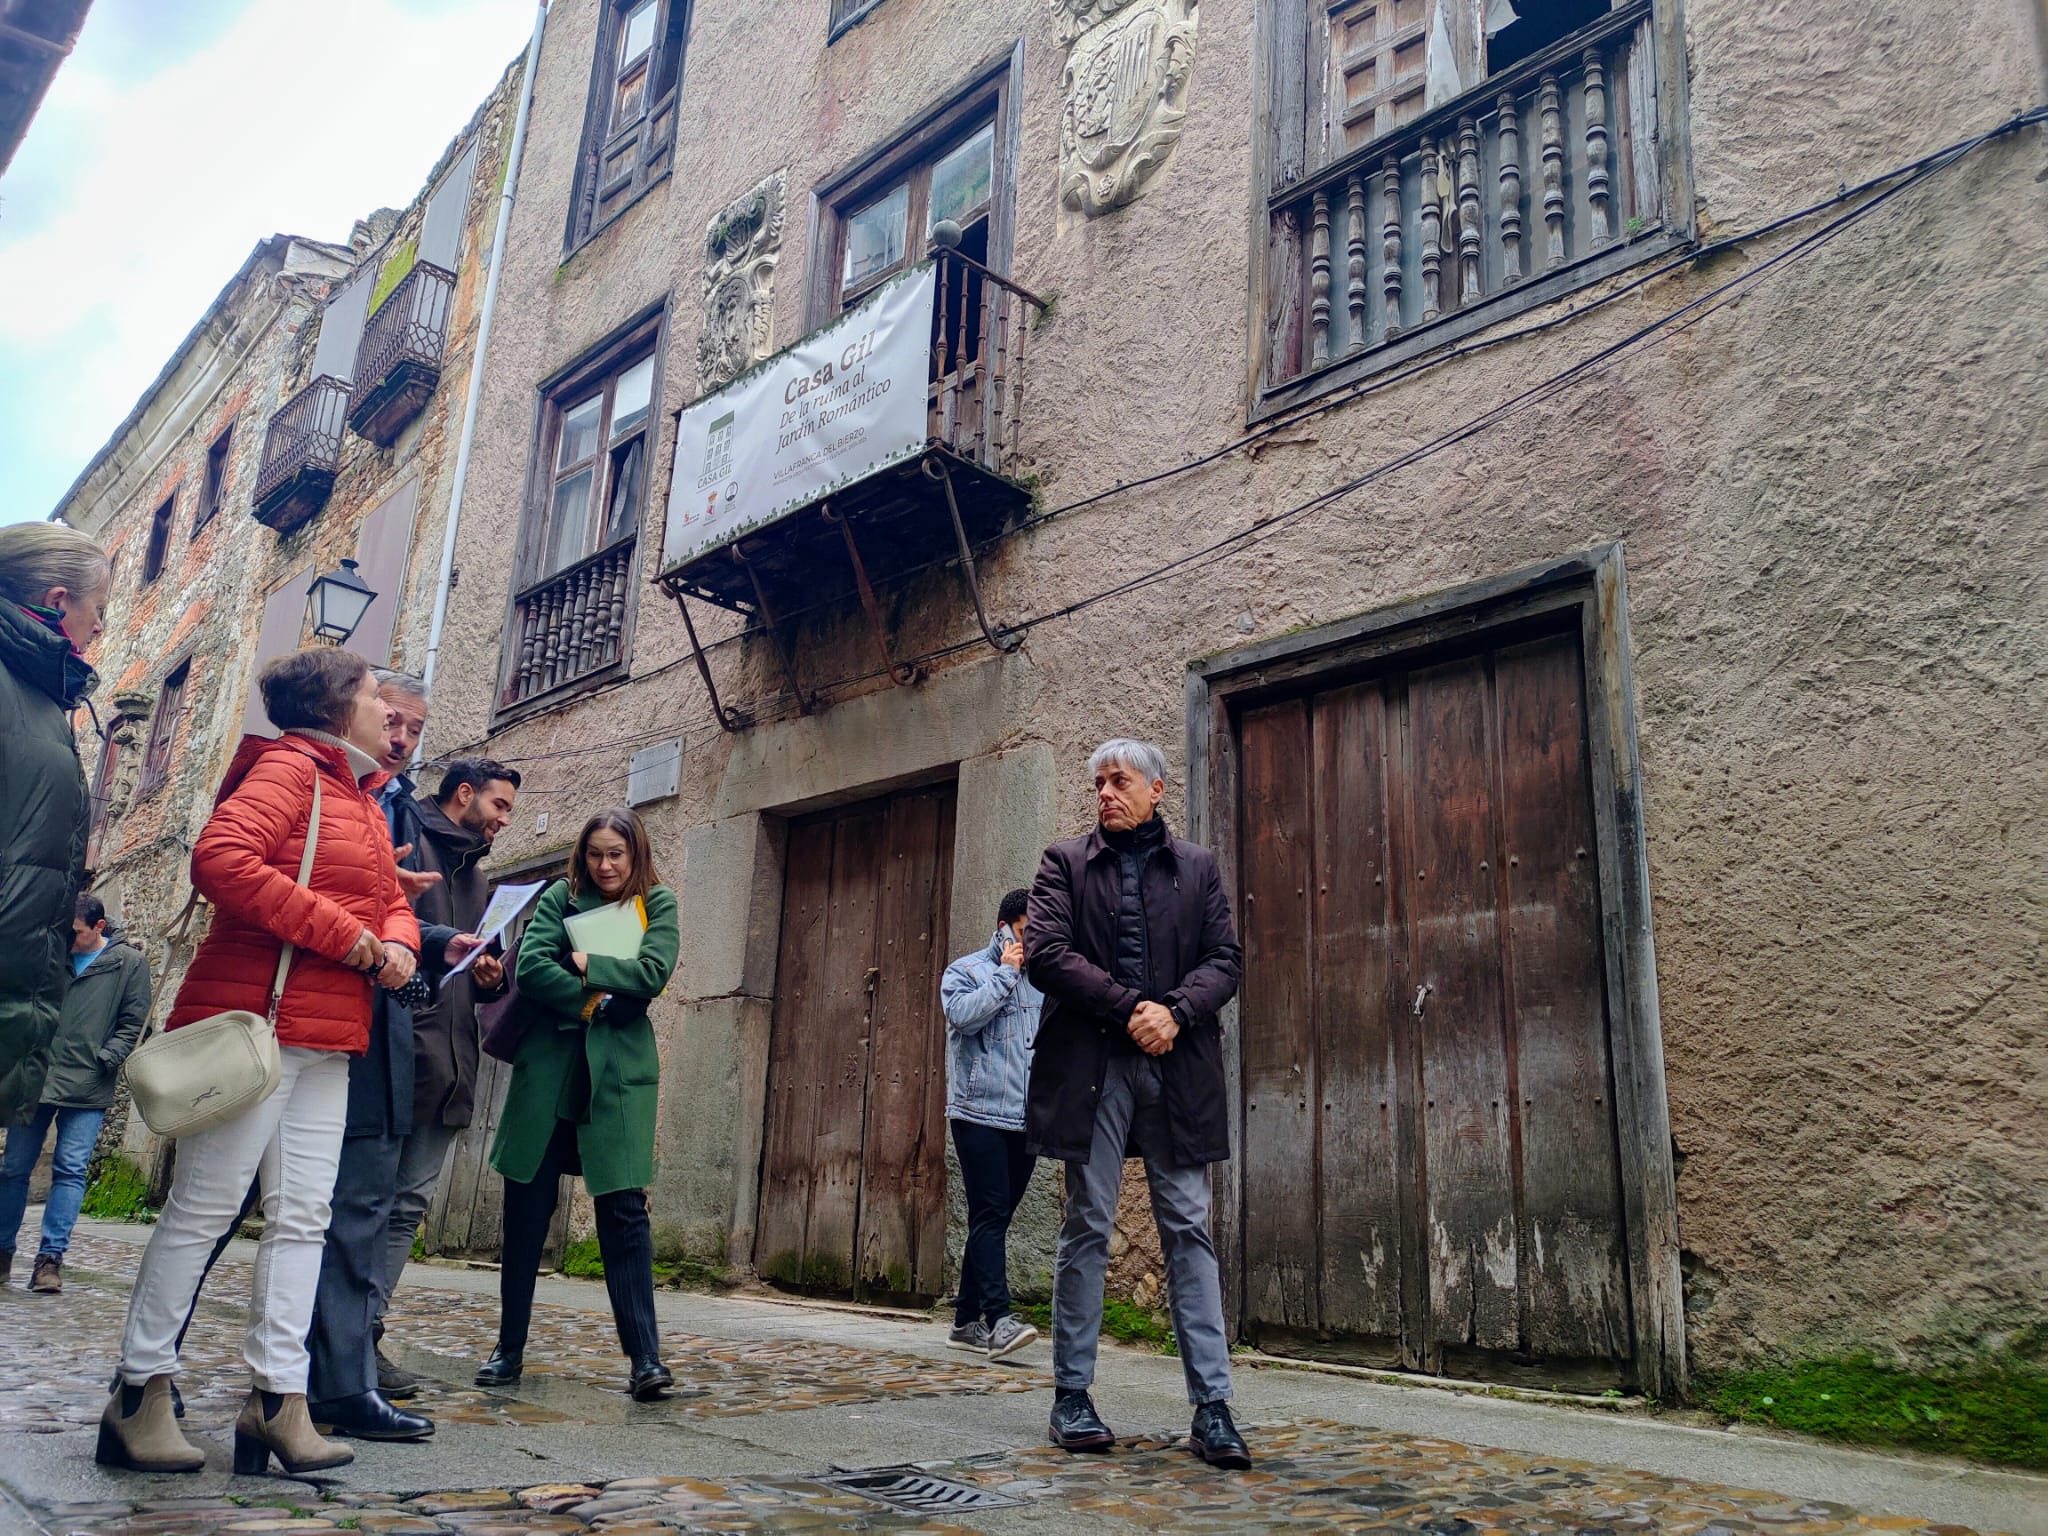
<point>1070,953</point>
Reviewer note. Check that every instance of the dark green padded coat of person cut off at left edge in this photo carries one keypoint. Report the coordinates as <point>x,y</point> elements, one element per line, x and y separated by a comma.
<point>44,820</point>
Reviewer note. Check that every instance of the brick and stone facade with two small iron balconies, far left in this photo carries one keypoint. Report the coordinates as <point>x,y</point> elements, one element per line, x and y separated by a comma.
<point>218,507</point>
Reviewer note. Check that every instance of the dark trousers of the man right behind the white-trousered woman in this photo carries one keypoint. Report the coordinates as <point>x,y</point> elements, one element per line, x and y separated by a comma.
<point>341,1345</point>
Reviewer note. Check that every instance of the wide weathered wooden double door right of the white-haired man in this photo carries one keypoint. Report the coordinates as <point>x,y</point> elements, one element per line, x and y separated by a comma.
<point>1433,1170</point>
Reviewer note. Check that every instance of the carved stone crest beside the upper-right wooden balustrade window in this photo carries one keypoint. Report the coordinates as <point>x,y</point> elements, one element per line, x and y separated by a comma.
<point>1125,95</point>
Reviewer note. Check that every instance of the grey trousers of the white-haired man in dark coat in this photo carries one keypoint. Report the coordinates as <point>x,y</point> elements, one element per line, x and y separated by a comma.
<point>1134,1095</point>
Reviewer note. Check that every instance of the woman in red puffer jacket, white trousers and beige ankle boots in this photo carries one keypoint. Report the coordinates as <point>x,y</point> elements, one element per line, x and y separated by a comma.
<point>351,931</point>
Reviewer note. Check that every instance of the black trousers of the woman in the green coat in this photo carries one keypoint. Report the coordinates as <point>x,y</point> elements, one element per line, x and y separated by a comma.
<point>626,1242</point>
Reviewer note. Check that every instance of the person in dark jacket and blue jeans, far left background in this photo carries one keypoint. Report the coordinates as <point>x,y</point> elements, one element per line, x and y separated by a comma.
<point>103,1015</point>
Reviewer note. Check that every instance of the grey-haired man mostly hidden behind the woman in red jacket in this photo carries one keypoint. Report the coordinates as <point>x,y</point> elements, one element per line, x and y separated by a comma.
<point>347,1385</point>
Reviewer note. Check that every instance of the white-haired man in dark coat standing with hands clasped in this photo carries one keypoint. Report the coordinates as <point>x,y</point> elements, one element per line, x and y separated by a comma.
<point>1129,939</point>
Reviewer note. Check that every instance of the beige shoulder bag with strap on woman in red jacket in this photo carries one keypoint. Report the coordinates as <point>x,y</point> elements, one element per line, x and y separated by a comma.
<point>216,1068</point>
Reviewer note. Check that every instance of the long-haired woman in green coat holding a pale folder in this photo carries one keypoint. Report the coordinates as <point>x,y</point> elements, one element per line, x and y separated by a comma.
<point>583,1095</point>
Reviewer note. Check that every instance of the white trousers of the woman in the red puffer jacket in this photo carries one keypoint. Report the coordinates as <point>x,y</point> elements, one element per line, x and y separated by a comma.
<point>294,1142</point>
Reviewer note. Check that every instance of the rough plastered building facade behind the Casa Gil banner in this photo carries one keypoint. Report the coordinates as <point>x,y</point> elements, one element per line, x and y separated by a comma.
<point>1748,595</point>
